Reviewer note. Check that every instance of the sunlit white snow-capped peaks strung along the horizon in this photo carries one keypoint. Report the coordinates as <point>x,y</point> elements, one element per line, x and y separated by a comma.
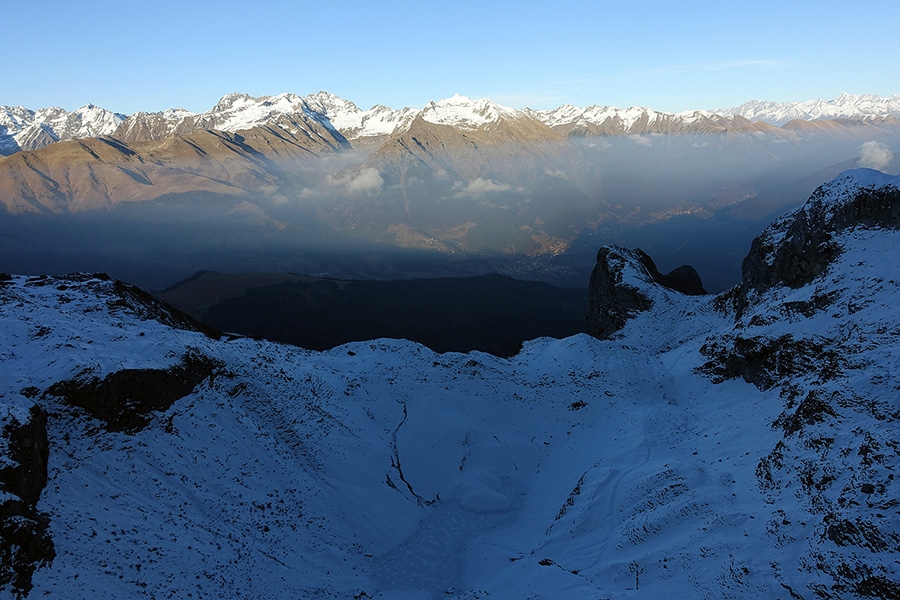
<point>26,129</point>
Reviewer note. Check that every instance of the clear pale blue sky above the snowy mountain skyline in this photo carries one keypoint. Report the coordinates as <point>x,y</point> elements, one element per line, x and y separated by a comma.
<point>671,56</point>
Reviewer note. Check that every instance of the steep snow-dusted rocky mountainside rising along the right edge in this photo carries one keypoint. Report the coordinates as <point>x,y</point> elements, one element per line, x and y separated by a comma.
<point>810,316</point>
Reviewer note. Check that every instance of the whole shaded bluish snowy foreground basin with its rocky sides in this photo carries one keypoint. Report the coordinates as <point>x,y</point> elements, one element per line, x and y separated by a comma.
<point>740,446</point>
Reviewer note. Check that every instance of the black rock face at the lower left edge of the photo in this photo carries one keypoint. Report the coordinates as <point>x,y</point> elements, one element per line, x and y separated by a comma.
<point>25,542</point>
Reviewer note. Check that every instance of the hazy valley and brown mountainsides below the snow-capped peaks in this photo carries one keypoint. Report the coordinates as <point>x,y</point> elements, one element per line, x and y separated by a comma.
<point>516,198</point>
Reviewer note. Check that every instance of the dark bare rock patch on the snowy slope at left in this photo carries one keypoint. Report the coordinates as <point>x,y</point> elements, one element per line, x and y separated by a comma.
<point>123,400</point>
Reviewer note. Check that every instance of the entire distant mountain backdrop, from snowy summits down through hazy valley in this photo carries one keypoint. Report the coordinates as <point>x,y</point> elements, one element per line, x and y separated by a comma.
<point>254,183</point>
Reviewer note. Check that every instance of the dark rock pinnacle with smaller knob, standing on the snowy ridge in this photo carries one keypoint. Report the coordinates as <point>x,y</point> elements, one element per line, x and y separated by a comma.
<point>613,301</point>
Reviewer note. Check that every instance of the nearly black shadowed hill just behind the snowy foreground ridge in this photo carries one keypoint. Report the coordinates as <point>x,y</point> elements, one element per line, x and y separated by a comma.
<point>490,313</point>
